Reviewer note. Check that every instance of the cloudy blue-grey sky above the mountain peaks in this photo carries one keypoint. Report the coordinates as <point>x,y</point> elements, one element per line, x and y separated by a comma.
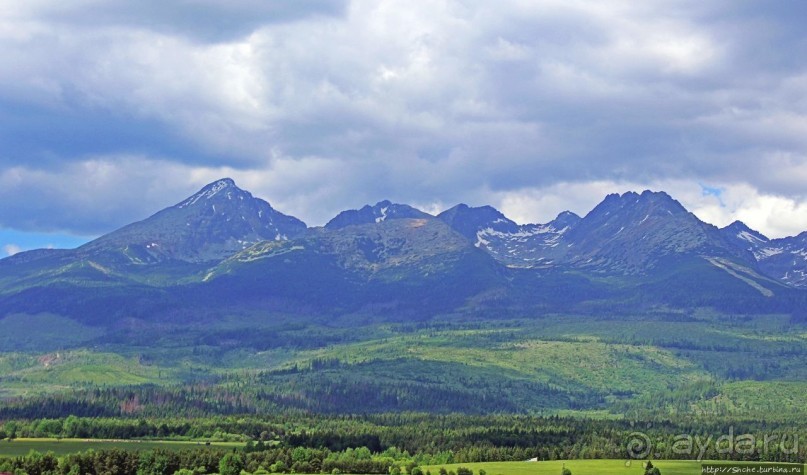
<point>111,109</point>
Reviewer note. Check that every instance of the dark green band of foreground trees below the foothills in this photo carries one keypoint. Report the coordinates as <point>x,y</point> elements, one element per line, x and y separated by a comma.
<point>429,439</point>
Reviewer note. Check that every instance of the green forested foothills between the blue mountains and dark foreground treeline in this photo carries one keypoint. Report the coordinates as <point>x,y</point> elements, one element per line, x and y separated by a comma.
<point>665,364</point>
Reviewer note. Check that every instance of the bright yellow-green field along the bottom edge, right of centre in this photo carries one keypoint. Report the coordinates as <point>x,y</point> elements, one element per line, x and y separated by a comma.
<point>578,467</point>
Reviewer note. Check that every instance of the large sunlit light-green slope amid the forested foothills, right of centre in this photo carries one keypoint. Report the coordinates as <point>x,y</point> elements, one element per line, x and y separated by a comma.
<point>590,364</point>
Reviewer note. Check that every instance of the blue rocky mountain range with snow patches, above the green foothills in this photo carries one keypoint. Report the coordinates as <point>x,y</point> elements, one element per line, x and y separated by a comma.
<point>224,249</point>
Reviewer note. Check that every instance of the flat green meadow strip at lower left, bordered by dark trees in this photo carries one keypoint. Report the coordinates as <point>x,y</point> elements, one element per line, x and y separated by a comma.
<point>70,446</point>
